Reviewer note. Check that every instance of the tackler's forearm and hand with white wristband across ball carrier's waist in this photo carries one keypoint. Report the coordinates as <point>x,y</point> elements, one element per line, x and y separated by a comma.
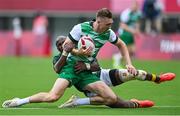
<point>81,66</point>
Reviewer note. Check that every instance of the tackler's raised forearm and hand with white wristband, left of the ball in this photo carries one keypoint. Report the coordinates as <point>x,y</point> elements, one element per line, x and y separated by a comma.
<point>67,47</point>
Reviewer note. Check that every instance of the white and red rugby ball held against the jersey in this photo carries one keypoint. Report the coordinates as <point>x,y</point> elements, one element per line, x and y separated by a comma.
<point>86,42</point>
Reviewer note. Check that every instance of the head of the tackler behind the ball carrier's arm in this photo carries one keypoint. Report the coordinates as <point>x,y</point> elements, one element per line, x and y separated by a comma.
<point>59,41</point>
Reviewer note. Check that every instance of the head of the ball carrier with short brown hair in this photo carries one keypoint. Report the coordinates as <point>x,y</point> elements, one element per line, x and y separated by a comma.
<point>103,19</point>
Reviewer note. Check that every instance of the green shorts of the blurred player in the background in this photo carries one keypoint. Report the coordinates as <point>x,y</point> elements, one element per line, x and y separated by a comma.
<point>127,38</point>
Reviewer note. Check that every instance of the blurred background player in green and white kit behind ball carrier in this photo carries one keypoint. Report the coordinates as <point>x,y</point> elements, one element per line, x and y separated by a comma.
<point>128,28</point>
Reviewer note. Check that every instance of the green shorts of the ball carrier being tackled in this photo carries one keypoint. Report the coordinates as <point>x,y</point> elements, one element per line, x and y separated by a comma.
<point>80,80</point>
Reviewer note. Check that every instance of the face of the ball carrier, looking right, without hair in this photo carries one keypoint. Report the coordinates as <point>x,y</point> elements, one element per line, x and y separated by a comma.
<point>104,24</point>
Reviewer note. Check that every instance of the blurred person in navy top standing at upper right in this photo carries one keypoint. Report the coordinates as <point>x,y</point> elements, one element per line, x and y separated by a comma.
<point>152,15</point>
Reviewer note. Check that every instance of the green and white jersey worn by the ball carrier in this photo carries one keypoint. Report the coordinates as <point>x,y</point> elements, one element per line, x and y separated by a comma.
<point>99,39</point>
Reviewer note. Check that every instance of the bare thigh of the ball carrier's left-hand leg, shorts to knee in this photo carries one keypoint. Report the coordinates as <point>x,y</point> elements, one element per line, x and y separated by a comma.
<point>60,86</point>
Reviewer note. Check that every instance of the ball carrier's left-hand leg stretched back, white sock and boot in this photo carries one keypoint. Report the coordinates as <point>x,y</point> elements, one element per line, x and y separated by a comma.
<point>56,92</point>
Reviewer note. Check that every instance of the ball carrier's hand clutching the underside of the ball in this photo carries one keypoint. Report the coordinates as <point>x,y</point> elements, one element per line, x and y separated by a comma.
<point>83,51</point>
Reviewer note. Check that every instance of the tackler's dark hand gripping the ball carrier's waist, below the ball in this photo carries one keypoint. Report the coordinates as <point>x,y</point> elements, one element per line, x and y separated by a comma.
<point>79,67</point>
